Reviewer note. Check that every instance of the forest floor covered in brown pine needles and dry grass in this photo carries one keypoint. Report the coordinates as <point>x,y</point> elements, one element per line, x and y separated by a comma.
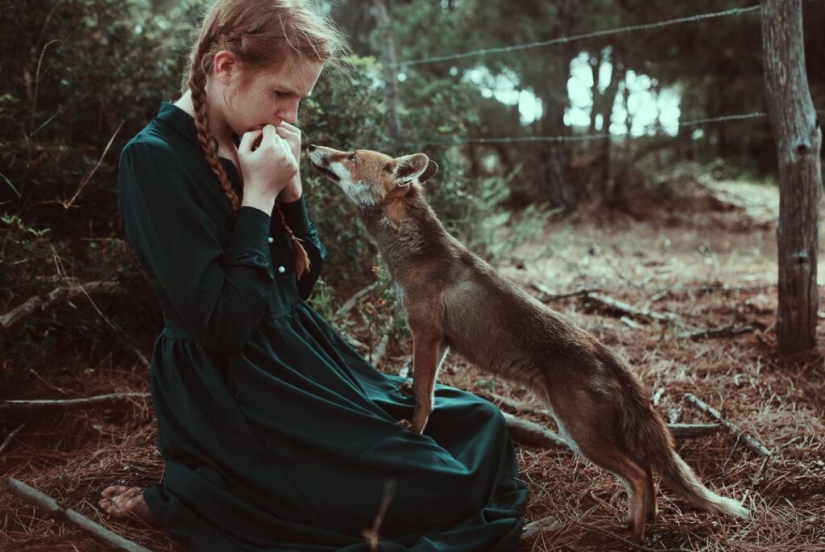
<point>703,259</point>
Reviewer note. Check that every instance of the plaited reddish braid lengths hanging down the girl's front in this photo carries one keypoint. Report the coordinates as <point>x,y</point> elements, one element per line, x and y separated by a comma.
<point>197,83</point>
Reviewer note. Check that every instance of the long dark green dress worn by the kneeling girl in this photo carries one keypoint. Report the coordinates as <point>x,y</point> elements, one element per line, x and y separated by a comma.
<point>276,434</point>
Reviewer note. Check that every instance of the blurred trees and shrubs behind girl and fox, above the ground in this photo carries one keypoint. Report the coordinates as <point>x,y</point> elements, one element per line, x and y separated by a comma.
<point>80,77</point>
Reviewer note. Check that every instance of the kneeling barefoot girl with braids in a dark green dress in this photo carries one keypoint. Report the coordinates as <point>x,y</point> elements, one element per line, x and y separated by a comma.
<point>276,435</point>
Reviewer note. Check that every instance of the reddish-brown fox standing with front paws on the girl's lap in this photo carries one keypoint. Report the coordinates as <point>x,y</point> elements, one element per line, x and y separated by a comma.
<point>454,300</point>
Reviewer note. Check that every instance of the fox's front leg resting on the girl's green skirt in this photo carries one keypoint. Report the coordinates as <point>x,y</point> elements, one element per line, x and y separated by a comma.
<point>429,351</point>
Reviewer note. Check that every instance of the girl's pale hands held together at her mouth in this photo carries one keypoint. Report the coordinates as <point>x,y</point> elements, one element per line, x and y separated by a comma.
<point>267,164</point>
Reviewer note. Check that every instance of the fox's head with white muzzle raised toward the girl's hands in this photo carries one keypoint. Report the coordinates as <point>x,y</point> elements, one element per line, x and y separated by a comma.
<point>369,178</point>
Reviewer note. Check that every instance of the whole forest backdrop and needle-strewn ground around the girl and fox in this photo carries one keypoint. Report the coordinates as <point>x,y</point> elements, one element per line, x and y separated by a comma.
<point>616,145</point>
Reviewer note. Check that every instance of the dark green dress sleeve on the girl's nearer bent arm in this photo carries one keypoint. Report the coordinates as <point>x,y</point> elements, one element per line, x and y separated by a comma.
<point>220,293</point>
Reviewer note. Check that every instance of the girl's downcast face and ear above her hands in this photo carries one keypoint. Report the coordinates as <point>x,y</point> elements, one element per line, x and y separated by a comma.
<point>267,98</point>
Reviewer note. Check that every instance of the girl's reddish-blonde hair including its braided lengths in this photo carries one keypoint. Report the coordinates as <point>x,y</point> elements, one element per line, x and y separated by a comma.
<point>264,35</point>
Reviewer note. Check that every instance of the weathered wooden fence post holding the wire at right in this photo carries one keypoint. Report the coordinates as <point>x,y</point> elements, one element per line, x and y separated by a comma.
<point>798,140</point>
